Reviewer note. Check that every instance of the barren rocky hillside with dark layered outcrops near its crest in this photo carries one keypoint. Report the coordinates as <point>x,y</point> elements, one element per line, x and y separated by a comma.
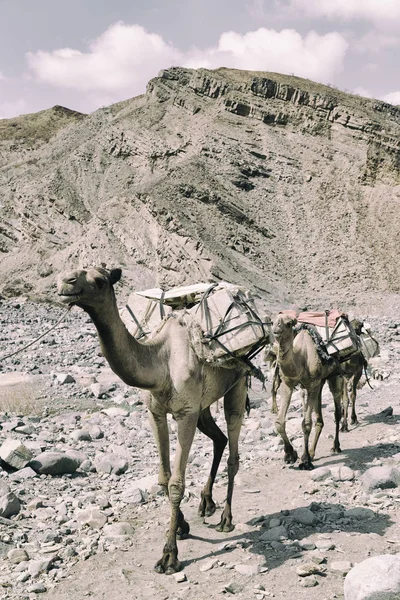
<point>286,186</point>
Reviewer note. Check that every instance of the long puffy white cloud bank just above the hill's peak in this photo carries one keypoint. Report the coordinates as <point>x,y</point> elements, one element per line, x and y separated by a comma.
<point>119,63</point>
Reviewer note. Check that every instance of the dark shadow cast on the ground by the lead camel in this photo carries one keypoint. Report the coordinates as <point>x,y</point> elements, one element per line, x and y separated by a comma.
<point>281,543</point>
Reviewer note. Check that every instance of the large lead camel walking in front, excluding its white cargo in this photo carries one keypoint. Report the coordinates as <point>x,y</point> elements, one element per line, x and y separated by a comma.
<point>178,383</point>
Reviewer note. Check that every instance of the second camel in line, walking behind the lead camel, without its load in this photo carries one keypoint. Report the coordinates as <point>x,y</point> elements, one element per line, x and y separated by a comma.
<point>301,363</point>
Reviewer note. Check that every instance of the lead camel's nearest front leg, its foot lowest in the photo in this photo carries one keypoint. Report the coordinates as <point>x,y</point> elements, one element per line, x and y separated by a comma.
<point>169,562</point>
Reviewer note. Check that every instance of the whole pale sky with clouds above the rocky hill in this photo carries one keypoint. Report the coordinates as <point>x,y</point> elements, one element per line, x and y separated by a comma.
<point>85,54</point>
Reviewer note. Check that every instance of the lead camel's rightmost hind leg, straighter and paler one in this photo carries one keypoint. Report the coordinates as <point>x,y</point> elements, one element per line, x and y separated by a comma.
<point>234,407</point>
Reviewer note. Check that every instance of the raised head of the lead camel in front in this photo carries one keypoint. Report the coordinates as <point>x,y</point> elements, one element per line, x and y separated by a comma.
<point>87,288</point>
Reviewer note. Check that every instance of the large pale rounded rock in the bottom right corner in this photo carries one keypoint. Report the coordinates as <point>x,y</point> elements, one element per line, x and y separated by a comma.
<point>377,578</point>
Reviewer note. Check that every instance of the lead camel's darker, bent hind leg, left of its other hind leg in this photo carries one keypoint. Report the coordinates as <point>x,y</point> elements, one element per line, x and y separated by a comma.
<point>208,426</point>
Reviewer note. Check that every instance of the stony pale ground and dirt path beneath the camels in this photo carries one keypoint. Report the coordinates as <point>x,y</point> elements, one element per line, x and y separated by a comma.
<point>97,528</point>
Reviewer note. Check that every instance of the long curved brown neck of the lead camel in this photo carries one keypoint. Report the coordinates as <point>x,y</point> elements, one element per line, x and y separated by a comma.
<point>135,363</point>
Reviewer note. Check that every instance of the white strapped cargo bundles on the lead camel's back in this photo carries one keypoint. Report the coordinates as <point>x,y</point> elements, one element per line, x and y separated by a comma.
<point>225,313</point>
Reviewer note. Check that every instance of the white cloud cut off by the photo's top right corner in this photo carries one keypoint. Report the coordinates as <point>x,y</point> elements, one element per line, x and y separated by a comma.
<point>375,11</point>
